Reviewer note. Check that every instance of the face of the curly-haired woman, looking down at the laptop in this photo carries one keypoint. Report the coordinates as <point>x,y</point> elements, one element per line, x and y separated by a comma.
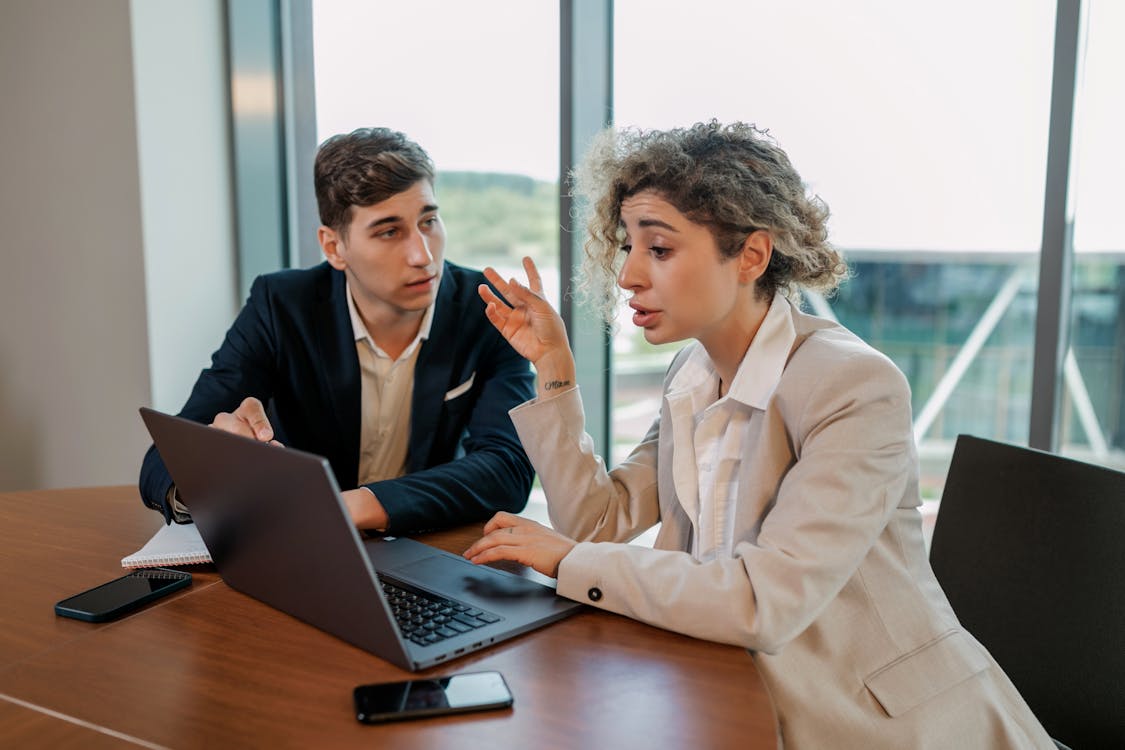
<point>682,287</point>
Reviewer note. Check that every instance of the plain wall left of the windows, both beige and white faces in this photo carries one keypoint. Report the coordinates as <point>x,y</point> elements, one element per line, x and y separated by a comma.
<point>75,323</point>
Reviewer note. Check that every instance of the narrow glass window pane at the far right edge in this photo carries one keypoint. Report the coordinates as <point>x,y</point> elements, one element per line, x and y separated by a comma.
<point>1093,420</point>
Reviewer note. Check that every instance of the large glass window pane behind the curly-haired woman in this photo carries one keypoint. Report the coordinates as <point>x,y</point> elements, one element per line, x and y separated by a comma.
<point>924,128</point>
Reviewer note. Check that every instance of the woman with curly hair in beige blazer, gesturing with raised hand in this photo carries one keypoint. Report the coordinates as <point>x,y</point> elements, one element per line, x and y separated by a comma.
<point>781,468</point>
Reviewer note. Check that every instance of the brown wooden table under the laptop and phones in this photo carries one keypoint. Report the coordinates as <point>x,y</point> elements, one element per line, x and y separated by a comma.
<point>212,668</point>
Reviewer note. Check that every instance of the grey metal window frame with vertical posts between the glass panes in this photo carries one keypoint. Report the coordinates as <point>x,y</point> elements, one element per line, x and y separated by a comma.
<point>271,42</point>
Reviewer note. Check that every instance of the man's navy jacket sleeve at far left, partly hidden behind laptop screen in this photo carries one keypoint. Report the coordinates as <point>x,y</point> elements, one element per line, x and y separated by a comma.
<point>244,366</point>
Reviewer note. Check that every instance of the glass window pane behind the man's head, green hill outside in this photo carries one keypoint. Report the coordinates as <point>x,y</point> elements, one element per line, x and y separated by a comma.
<point>482,100</point>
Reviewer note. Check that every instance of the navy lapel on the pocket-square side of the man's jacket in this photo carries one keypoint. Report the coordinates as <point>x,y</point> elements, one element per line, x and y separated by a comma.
<point>433,373</point>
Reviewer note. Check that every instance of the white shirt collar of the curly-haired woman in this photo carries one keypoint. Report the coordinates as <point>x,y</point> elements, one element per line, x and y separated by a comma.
<point>762,367</point>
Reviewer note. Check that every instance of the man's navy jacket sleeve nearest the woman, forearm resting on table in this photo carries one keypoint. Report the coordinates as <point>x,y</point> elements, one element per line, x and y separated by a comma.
<point>494,474</point>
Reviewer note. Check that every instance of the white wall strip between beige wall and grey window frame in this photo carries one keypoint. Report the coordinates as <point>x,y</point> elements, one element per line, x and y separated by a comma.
<point>186,193</point>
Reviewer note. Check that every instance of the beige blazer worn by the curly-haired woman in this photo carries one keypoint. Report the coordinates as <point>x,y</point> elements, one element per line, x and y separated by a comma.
<point>829,588</point>
